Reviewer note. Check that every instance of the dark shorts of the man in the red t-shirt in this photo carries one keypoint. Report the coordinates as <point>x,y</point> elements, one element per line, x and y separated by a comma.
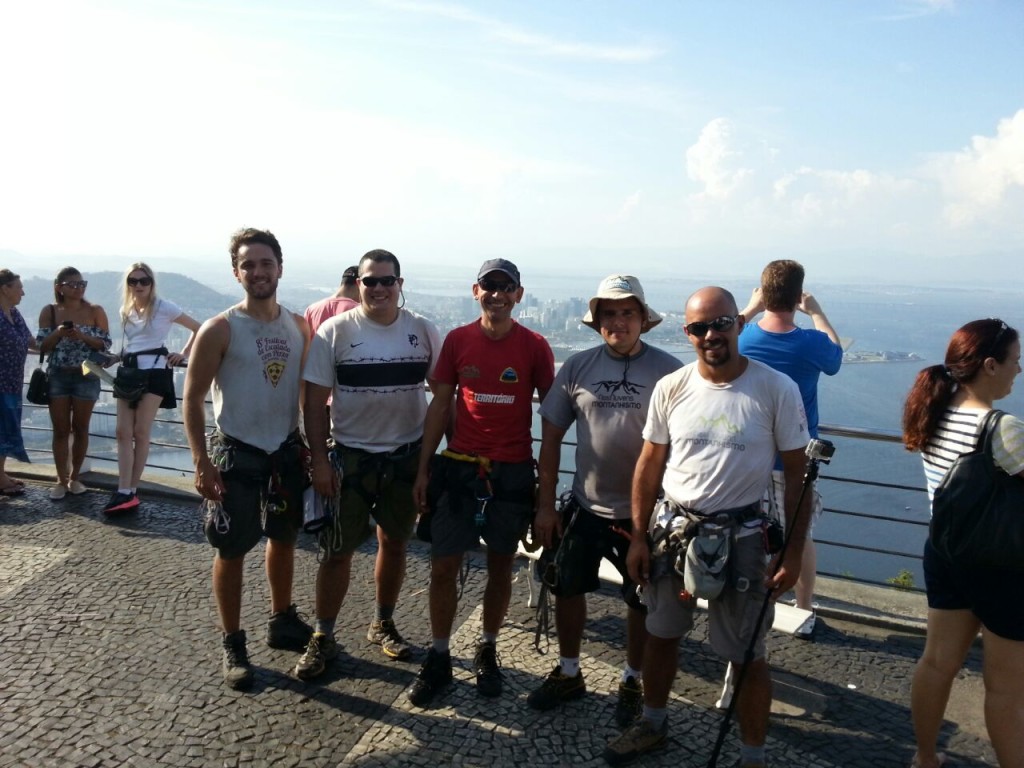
<point>455,487</point>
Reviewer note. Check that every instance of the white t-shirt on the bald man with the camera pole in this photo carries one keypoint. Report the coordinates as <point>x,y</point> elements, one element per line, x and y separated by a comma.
<point>723,438</point>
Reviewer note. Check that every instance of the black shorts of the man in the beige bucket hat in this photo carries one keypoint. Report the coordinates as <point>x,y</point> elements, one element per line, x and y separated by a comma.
<point>577,559</point>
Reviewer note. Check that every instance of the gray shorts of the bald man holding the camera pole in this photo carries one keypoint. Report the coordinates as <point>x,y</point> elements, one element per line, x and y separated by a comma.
<point>732,616</point>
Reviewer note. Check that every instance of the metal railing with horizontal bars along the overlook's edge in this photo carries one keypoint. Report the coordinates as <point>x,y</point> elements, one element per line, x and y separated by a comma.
<point>867,506</point>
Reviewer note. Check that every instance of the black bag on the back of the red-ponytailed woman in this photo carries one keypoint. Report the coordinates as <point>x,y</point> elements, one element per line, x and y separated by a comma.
<point>978,509</point>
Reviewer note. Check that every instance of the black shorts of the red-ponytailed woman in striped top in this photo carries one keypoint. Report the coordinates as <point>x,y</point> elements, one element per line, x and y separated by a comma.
<point>995,596</point>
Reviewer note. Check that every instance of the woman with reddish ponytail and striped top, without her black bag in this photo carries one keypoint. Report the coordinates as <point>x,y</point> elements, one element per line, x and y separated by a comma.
<point>942,420</point>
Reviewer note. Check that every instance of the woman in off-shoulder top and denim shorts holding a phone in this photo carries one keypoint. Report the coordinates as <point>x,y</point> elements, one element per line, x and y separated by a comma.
<point>70,330</point>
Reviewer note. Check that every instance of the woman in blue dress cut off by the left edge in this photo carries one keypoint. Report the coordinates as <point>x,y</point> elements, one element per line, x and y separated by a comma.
<point>16,342</point>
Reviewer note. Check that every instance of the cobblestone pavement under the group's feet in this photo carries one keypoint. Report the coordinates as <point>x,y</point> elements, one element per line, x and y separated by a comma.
<point>110,656</point>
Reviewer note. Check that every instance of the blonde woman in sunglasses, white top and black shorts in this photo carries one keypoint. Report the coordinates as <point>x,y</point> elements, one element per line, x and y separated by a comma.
<point>146,321</point>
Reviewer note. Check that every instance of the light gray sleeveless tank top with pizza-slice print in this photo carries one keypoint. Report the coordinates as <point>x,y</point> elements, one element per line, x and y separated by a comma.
<point>257,390</point>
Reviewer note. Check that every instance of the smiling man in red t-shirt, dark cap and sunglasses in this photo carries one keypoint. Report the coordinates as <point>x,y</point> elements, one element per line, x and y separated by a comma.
<point>483,485</point>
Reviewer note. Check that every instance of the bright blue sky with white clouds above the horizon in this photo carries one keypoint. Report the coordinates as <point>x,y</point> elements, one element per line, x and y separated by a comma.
<point>868,139</point>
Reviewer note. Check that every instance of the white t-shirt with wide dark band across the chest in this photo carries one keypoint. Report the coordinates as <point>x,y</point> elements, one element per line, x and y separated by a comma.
<point>377,372</point>
